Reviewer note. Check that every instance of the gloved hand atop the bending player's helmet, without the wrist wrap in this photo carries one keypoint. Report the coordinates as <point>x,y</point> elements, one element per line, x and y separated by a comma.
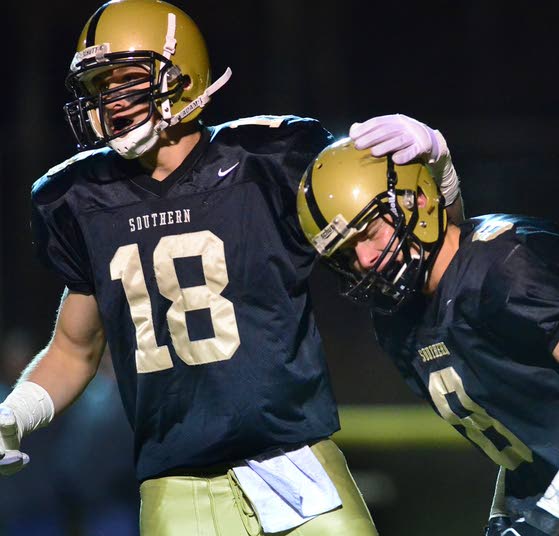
<point>404,137</point>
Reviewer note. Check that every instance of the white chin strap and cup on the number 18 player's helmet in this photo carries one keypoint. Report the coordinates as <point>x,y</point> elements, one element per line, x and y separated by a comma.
<point>144,138</point>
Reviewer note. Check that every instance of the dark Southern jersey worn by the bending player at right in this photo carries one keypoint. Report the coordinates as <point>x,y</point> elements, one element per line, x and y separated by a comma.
<point>480,349</point>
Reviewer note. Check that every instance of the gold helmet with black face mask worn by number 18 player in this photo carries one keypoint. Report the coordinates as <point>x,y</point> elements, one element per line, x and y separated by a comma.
<point>156,36</point>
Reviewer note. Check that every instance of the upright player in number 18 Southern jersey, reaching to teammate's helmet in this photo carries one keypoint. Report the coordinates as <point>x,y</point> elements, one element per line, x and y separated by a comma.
<point>179,244</point>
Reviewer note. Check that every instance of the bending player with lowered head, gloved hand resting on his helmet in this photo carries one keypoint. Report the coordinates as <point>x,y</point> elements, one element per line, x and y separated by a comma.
<point>469,313</point>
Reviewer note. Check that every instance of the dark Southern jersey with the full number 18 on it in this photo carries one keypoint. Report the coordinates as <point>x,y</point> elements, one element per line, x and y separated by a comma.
<point>201,281</point>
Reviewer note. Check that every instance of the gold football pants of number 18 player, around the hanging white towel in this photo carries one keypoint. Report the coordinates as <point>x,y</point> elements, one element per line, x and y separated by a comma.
<point>214,505</point>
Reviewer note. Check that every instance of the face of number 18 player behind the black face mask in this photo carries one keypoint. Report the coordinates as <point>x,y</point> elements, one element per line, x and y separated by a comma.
<point>125,104</point>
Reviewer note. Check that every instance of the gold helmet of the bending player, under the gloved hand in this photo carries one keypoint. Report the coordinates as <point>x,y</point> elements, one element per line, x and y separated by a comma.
<point>343,190</point>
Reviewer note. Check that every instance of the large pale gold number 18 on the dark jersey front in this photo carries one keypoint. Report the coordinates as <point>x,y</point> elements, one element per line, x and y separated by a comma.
<point>126,266</point>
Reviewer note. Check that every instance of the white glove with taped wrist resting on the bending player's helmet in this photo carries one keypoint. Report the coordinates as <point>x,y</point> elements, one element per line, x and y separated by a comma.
<point>409,140</point>
